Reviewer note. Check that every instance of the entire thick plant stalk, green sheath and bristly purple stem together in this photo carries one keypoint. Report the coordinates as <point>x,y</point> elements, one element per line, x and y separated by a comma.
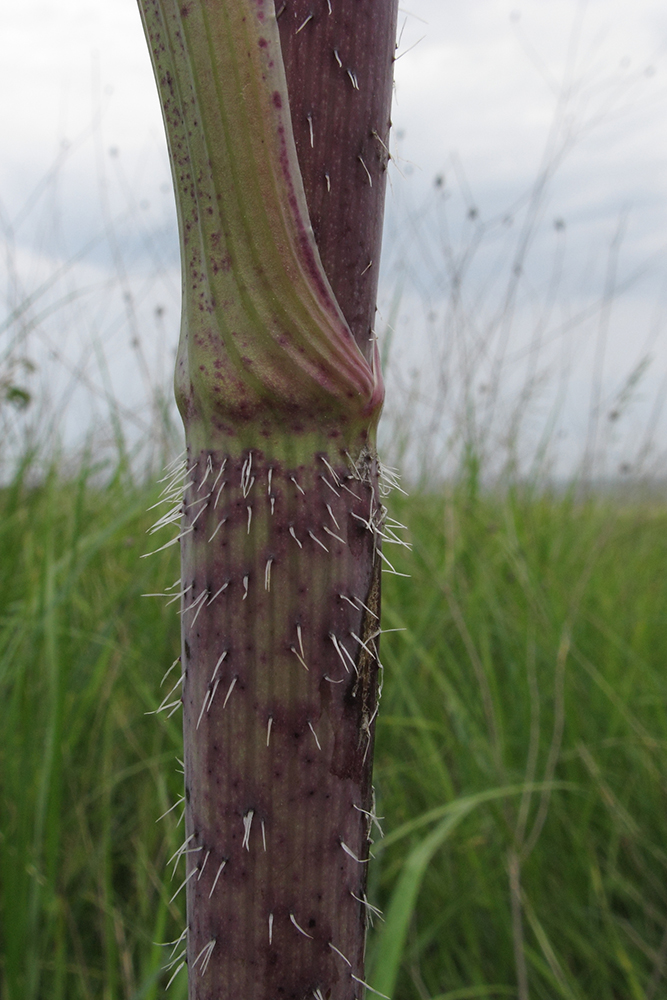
<point>281,517</point>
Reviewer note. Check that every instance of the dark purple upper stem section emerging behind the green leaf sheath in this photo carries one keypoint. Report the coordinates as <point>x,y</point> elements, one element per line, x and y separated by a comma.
<point>339,76</point>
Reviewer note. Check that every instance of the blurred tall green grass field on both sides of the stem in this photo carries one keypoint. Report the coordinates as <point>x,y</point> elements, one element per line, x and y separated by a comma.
<point>520,760</point>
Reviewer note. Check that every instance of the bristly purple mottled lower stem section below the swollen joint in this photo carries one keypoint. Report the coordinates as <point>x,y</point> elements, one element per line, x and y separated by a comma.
<point>280,697</point>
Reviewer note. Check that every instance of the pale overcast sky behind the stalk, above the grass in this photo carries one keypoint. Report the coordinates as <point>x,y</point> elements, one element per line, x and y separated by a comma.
<point>487,94</point>
